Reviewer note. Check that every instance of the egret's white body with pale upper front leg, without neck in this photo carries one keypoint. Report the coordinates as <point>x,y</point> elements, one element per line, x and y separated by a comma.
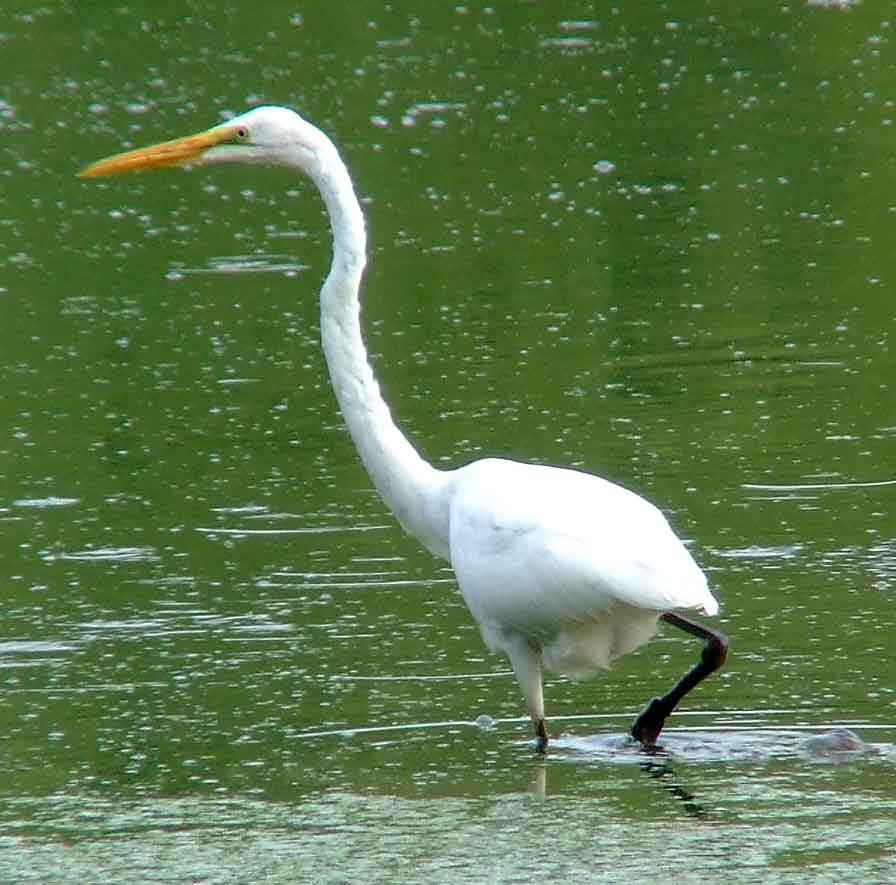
<point>562,569</point>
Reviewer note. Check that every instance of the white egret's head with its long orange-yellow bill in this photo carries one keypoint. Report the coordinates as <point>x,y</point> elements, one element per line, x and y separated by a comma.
<point>270,135</point>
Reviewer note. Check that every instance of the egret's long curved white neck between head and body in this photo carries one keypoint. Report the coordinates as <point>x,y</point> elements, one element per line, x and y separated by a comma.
<point>412,488</point>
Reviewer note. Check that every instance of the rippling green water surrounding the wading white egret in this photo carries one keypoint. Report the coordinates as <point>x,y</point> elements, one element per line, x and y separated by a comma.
<point>653,240</point>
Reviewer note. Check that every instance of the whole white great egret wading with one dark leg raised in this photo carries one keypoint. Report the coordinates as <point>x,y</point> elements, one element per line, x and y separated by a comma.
<point>561,569</point>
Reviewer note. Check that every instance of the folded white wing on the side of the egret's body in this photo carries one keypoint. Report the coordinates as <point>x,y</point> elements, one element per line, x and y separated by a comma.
<point>536,548</point>
